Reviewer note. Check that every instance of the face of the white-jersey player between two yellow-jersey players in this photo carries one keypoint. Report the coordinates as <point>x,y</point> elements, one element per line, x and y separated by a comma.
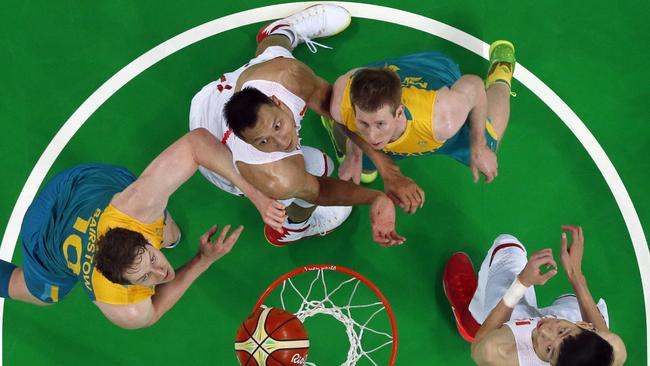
<point>275,129</point>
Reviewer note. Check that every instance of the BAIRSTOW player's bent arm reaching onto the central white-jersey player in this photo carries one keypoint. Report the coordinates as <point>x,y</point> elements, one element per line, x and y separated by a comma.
<point>147,197</point>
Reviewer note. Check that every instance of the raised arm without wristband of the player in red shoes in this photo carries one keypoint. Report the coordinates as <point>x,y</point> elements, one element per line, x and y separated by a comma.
<point>571,258</point>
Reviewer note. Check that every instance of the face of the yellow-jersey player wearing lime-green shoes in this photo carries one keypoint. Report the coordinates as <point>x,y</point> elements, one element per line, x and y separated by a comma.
<point>380,127</point>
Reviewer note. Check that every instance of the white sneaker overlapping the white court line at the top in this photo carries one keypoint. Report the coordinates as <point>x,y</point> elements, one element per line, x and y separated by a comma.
<point>316,21</point>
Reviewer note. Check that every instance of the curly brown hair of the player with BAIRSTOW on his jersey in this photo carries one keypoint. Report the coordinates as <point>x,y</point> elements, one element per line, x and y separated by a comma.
<point>117,251</point>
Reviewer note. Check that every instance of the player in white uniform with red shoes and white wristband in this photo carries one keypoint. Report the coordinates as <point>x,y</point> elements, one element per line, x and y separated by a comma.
<point>498,313</point>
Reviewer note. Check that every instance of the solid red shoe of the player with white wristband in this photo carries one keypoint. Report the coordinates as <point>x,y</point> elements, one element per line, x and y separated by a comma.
<point>459,283</point>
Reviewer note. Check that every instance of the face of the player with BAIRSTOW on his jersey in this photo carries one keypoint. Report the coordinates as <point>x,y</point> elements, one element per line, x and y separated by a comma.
<point>150,268</point>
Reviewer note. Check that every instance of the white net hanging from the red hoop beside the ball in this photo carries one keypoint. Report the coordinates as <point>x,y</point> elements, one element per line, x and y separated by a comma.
<point>340,300</point>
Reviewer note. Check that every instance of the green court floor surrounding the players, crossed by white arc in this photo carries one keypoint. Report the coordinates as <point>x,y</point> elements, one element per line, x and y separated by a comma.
<point>54,55</point>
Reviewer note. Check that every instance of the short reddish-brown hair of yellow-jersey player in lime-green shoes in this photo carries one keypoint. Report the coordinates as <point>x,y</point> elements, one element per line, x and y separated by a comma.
<point>372,89</point>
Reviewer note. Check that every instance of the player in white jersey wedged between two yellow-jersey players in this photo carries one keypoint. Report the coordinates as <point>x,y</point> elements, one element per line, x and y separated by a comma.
<point>256,112</point>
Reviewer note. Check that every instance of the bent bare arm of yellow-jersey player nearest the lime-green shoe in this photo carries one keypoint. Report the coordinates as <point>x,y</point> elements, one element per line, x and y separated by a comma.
<point>467,97</point>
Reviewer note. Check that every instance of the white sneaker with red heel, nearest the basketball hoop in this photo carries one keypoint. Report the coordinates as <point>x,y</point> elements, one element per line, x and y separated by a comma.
<point>322,221</point>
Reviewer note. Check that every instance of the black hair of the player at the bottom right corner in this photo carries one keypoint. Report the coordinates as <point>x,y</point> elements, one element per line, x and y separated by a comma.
<point>586,348</point>
